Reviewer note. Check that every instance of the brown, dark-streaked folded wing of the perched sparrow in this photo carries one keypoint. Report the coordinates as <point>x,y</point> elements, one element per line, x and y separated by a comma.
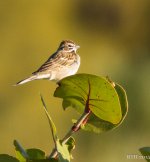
<point>57,61</point>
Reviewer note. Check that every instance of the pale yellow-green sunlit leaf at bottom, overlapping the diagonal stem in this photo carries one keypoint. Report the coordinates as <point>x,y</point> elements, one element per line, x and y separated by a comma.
<point>63,152</point>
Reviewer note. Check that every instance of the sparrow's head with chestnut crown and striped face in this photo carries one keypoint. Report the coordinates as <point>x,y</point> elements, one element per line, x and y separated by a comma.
<point>68,46</point>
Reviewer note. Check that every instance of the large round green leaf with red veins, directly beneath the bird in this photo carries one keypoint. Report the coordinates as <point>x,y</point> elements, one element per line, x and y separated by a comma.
<point>86,91</point>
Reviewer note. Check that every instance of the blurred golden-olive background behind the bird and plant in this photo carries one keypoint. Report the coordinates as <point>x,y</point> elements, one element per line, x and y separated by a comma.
<point>115,40</point>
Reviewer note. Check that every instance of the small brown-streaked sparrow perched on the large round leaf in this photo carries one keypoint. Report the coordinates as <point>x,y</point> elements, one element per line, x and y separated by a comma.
<point>64,62</point>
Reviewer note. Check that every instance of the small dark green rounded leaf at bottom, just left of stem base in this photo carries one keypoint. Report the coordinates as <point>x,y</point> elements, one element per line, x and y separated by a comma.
<point>35,154</point>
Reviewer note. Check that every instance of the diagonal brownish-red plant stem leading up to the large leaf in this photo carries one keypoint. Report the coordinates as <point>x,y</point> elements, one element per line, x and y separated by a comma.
<point>82,120</point>
